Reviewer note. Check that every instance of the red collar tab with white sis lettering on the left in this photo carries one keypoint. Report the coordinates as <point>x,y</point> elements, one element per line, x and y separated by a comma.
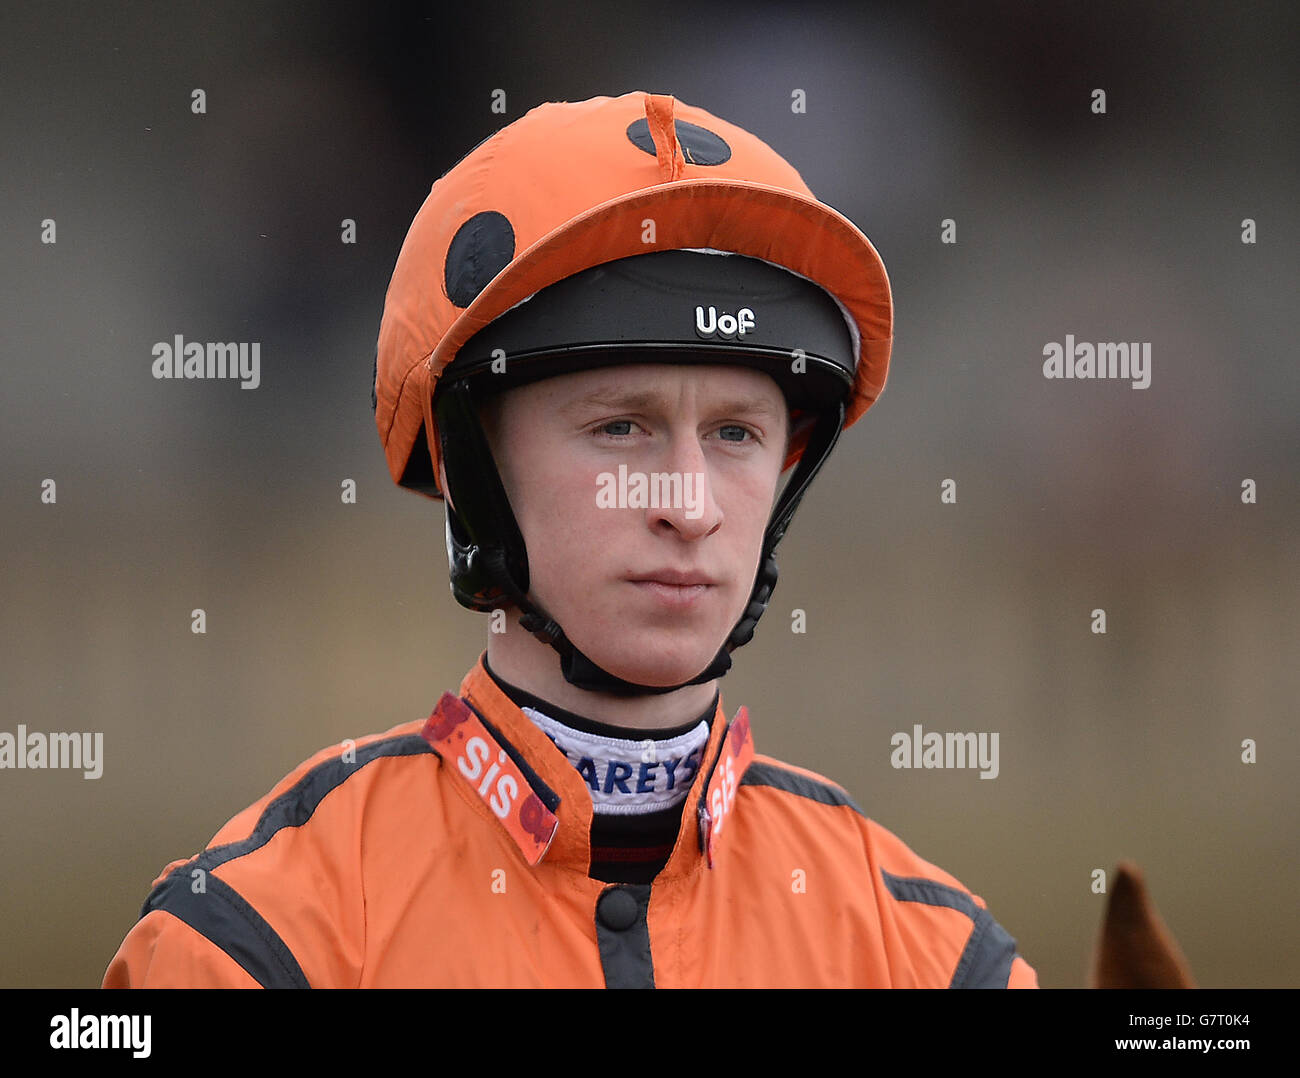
<point>462,739</point>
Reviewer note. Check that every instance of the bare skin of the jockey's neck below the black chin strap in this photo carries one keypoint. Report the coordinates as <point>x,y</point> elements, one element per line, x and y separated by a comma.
<point>521,659</point>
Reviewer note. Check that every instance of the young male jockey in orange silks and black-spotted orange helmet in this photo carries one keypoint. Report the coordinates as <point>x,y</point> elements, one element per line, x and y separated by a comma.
<point>613,328</point>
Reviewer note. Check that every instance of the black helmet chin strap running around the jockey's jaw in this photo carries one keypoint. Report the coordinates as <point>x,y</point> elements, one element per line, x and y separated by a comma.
<point>487,574</point>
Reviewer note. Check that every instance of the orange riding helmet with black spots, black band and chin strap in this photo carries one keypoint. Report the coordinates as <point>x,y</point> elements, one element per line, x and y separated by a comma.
<point>505,259</point>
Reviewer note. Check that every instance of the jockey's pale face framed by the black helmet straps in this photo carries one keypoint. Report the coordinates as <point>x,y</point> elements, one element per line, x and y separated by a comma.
<point>648,594</point>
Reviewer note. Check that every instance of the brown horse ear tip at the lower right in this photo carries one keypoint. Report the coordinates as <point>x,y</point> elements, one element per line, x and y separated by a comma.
<point>1136,950</point>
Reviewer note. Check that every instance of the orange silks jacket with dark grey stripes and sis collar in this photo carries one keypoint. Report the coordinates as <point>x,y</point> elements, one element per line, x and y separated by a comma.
<point>454,852</point>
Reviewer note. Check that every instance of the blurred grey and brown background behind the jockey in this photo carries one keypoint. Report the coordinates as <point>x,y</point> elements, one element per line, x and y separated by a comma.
<point>330,621</point>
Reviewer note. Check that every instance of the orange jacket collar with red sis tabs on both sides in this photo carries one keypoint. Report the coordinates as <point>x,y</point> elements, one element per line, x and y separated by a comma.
<point>539,798</point>
